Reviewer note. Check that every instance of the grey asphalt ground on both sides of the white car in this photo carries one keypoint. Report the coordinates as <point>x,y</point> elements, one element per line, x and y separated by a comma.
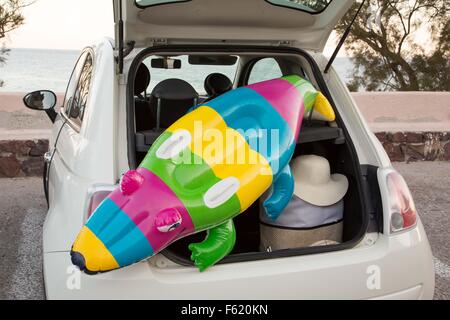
<point>22,213</point>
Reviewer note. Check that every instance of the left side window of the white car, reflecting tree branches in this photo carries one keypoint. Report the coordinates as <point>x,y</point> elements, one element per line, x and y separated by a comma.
<point>78,89</point>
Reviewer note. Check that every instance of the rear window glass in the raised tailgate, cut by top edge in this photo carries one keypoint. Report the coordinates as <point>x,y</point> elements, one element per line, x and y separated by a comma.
<point>311,6</point>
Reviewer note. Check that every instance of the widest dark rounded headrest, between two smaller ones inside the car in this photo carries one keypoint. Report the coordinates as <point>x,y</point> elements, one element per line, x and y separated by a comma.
<point>174,89</point>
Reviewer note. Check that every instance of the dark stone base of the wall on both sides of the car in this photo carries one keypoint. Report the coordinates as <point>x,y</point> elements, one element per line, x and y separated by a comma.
<point>24,158</point>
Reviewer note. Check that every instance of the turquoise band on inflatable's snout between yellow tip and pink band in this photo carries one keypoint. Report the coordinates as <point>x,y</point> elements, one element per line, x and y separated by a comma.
<point>119,234</point>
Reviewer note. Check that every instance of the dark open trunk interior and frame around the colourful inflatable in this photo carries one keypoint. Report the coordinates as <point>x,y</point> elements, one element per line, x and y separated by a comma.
<point>329,140</point>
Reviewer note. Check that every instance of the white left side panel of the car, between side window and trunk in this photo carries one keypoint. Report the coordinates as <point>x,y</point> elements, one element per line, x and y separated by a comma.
<point>83,158</point>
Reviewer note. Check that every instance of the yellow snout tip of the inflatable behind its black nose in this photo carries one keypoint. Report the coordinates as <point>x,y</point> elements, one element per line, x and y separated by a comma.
<point>96,255</point>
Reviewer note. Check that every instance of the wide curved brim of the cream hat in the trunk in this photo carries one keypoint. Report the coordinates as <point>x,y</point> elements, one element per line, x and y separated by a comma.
<point>323,195</point>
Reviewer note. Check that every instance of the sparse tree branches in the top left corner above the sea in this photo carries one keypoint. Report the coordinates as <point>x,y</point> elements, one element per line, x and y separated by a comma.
<point>10,19</point>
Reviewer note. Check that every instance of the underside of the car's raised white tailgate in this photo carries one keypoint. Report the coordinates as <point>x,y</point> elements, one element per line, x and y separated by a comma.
<point>230,21</point>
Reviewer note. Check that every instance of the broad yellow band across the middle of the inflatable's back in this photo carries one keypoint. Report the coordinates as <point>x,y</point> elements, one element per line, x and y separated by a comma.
<point>227,153</point>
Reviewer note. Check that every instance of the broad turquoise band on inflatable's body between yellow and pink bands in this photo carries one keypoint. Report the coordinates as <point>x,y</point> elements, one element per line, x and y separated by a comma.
<point>254,117</point>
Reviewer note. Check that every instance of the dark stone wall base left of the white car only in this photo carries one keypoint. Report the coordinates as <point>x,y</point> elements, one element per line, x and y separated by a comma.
<point>22,158</point>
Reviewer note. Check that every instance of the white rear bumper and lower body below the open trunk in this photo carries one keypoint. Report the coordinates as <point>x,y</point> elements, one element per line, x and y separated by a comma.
<point>374,272</point>
